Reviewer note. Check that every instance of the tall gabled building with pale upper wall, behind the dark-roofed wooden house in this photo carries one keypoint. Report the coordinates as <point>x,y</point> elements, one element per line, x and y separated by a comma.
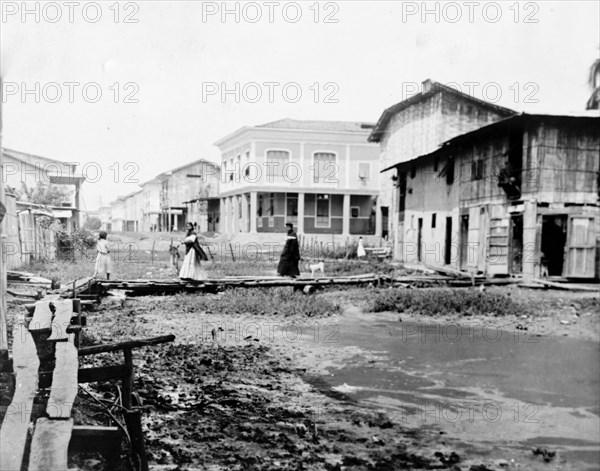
<point>417,126</point>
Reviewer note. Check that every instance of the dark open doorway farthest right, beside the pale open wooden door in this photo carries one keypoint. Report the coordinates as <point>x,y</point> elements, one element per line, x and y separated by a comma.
<point>554,237</point>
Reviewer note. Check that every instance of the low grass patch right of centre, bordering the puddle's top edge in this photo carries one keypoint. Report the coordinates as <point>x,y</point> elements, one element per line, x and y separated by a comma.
<point>441,301</point>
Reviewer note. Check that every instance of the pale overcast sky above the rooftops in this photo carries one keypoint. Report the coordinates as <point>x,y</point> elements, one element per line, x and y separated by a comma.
<point>169,67</point>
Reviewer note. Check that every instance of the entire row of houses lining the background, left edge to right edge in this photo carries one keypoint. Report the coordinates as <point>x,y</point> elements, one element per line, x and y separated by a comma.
<point>443,178</point>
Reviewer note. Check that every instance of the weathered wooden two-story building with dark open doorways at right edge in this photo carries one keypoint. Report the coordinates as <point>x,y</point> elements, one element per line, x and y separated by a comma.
<point>516,197</point>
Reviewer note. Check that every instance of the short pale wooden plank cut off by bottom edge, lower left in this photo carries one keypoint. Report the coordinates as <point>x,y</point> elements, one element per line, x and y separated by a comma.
<point>50,445</point>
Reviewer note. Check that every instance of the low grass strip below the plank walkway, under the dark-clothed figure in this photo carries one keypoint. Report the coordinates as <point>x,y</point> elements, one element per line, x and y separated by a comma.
<point>256,301</point>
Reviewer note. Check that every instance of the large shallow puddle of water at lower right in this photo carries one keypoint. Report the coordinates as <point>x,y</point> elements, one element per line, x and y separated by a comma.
<point>502,390</point>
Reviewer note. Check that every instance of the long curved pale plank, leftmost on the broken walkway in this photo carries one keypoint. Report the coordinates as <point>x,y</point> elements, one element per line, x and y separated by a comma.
<point>13,435</point>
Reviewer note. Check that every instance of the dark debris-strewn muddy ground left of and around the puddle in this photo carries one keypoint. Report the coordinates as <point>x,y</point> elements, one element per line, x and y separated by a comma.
<point>233,392</point>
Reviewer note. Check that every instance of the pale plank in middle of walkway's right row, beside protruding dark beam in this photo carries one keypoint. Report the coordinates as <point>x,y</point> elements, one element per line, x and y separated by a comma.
<point>64,381</point>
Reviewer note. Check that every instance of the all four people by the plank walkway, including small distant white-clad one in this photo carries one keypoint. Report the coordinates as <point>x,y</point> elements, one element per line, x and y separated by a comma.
<point>191,268</point>
